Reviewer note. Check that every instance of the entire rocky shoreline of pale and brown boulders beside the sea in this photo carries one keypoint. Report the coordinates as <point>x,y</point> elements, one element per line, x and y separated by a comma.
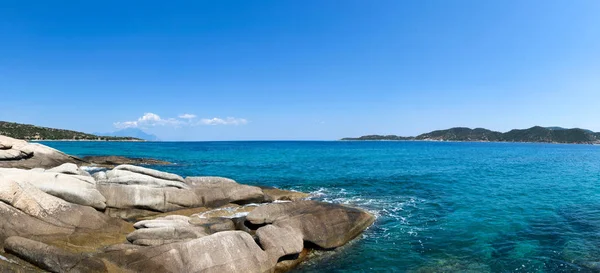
<point>60,218</point>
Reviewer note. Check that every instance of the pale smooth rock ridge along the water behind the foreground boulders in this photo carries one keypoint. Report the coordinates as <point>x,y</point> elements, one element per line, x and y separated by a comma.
<point>132,192</point>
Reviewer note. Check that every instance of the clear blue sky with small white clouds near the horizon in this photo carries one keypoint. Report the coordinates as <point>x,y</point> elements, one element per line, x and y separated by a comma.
<point>231,70</point>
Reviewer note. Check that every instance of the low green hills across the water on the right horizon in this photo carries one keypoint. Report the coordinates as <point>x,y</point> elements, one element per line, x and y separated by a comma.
<point>533,134</point>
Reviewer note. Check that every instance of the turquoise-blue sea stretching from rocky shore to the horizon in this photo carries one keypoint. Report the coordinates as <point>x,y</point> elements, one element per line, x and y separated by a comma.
<point>440,207</point>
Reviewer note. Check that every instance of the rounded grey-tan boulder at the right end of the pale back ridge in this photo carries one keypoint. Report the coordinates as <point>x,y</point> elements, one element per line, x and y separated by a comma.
<point>216,191</point>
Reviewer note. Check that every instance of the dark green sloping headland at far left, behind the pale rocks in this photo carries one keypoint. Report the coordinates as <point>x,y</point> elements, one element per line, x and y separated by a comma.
<point>32,132</point>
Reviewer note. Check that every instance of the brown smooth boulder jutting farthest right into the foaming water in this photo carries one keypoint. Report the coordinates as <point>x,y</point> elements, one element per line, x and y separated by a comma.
<point>323,224</point>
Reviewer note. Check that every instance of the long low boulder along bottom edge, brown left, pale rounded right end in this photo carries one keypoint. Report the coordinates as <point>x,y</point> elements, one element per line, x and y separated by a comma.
<point>228,251</point>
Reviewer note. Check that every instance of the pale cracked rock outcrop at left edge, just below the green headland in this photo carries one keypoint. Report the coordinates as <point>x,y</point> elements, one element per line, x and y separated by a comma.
<point>15,153</point>
